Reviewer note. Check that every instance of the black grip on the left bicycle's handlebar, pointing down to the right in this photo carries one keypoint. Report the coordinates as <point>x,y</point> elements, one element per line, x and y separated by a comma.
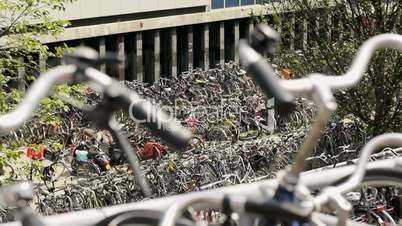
<point>159,122</point>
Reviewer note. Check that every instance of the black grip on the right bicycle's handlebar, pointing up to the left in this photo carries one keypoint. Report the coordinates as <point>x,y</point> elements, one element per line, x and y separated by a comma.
<point>264,75</point>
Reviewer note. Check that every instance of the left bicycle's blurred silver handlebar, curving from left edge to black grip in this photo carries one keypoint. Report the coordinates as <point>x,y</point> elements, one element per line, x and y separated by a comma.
<point>156,120</point>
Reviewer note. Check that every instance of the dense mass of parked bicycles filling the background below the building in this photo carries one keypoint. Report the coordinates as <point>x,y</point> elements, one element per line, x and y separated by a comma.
<point>89,153</point>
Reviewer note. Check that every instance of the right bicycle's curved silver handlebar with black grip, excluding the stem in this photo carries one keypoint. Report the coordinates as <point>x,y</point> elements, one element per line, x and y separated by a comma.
<point>286,90</point>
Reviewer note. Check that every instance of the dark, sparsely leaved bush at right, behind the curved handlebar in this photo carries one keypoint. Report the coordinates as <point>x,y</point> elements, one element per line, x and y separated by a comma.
<point>336,29</point>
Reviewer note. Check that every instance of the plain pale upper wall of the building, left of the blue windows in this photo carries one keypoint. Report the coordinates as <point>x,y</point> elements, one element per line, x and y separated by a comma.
<point>85,9</point>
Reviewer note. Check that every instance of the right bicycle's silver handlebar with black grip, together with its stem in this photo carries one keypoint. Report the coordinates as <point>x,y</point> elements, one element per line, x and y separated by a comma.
<point>316,87</point>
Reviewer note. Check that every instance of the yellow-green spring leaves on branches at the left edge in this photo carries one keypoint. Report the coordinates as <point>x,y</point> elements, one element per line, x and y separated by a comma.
<point>22,22</point>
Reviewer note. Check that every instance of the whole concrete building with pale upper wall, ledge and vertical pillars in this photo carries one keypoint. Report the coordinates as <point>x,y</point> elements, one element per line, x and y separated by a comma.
<point>158,38</point>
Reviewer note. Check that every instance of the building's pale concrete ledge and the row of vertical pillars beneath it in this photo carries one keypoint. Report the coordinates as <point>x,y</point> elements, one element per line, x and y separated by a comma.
<point>167,45</point>
